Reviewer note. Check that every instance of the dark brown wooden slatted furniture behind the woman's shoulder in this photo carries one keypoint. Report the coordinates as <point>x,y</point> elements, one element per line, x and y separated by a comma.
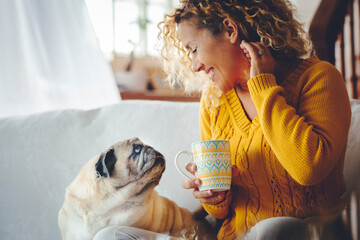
<point>332,31</point>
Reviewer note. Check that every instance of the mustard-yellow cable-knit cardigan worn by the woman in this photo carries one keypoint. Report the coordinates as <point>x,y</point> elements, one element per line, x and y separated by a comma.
<point>290,157</point>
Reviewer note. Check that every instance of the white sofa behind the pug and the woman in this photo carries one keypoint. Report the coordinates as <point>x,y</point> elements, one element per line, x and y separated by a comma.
<point>42,153</point>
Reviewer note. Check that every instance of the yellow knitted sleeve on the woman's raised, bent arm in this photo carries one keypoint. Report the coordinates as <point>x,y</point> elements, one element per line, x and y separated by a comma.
<point>308,141</point>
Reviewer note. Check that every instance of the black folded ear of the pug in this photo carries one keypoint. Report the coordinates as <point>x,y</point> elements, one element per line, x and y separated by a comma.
<point>104,167</point>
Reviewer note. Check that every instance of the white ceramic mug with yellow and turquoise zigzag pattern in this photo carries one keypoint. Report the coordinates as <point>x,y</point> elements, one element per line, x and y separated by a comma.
<point>213,162</point>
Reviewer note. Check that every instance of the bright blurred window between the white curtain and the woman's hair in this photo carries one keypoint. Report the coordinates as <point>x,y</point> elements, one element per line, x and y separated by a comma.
<point>123,26</point>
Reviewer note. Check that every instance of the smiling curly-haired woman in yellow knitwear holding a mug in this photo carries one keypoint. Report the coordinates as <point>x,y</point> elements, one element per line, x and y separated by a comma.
<point>285,112</point>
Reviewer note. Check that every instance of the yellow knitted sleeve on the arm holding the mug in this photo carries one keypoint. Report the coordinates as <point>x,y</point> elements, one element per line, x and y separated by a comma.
<point>220,210</point>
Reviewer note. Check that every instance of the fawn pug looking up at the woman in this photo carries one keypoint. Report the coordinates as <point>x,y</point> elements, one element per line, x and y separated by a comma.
<point>116,188</point>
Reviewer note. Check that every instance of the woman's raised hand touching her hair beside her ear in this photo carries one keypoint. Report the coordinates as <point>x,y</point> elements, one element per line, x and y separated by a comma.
<point>260,57</point>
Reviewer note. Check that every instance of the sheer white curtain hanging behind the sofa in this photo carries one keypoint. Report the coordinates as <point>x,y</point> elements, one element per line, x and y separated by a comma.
<point>50,58</point>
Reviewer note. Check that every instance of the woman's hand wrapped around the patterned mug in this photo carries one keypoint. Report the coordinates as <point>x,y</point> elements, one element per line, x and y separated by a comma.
<point>207,197</point>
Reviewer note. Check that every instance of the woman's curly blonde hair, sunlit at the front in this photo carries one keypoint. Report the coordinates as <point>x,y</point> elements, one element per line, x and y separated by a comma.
<point>270,22</point>
